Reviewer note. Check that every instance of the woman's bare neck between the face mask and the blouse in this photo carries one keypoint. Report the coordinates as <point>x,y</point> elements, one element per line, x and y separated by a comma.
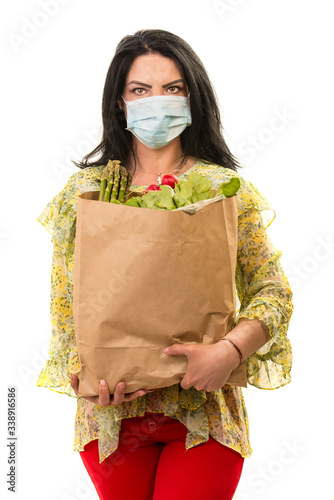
<point>155,160</point>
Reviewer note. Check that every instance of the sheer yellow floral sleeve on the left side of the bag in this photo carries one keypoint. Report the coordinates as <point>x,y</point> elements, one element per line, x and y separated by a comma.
<point>59,218</point>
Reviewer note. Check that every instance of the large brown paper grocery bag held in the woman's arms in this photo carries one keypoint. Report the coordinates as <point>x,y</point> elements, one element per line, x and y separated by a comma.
<point>145,279</point>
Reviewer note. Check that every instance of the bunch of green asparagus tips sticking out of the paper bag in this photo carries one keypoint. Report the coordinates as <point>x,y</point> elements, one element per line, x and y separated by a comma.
<point>115,182</point>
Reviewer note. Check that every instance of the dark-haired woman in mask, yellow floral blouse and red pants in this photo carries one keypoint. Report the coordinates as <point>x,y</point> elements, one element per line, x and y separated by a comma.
<point>160,115</point>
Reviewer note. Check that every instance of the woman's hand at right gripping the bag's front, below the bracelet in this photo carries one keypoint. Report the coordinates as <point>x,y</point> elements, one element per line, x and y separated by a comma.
<point>209,365</point>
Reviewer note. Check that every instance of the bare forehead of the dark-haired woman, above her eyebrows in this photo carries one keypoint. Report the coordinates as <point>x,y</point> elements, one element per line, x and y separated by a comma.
<point>151,68</point>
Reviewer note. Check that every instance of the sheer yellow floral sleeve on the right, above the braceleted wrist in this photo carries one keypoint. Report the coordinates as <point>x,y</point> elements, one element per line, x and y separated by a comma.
<point>264,291</point>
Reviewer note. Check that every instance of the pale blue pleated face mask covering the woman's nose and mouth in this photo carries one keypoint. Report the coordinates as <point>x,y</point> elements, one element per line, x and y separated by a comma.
<point>157,120</point>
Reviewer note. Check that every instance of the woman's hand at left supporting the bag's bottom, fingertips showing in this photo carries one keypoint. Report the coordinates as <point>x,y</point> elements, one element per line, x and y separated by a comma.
<point>105,398</point>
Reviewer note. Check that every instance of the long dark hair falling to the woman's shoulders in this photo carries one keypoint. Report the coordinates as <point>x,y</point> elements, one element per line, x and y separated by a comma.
<point>203,139</point>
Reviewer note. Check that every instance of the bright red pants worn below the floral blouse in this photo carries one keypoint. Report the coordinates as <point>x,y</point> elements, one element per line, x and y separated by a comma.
<point>151,463</point>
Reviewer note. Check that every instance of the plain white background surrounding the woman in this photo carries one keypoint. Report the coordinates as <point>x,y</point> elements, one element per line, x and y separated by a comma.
<point>265,59</point>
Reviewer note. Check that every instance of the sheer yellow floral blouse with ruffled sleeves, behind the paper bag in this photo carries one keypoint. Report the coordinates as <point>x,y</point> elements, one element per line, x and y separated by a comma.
<point>263,291</point>
